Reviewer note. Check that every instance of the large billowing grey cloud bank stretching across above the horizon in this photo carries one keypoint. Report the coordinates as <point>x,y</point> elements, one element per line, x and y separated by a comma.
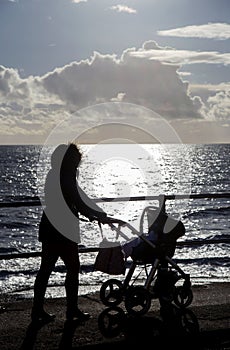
<point>33,106</point>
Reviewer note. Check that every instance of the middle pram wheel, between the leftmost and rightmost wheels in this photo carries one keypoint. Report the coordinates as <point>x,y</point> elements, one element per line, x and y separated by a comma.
<point>137,301</point>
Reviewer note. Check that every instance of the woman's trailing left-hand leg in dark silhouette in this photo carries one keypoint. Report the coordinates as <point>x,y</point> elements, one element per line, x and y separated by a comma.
<point>49,258</point>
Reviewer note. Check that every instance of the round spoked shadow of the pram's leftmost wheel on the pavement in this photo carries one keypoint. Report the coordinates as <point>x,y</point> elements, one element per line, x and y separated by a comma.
<point>110,322</point>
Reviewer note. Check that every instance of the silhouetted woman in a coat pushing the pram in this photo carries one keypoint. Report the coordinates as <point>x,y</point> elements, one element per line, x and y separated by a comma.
<point>59,230</point>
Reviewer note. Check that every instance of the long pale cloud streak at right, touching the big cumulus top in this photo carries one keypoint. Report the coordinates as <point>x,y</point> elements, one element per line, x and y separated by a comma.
<point>151,50</point>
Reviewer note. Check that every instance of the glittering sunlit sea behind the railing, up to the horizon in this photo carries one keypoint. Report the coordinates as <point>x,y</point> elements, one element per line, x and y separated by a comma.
<point>119,171</point>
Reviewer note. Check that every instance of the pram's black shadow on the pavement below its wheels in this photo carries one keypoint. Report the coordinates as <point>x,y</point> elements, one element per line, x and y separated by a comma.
<point>174,328</point>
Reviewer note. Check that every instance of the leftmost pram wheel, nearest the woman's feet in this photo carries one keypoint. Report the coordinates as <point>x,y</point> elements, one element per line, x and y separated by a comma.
<point>111,292</point>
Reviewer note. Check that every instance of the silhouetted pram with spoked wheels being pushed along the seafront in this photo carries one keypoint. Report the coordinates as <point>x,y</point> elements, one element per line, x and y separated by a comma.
<point>152,252</point>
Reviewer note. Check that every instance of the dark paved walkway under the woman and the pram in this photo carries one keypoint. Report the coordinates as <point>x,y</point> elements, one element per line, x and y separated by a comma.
<point>205,324</point>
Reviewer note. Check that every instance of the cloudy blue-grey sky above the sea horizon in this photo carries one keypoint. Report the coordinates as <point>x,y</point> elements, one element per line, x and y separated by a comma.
<point>100,70</point>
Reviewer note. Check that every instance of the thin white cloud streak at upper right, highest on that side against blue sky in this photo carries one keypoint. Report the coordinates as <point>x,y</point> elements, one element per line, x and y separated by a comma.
<point>220,31</point>
